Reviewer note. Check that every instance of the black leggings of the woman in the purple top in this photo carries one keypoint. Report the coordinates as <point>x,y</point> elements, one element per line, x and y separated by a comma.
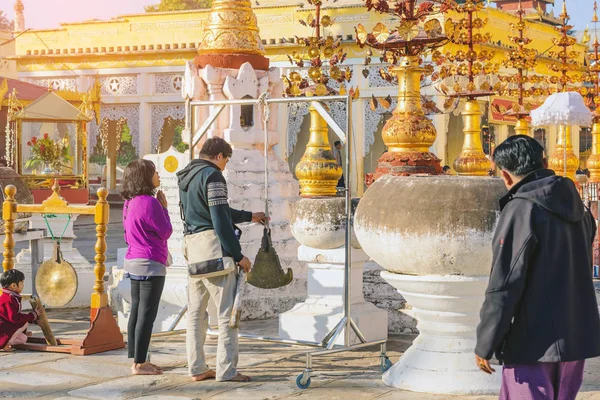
<point>145,297</point>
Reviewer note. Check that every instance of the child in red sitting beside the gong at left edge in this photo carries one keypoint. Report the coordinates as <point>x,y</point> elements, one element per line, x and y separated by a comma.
<point>13,322</point>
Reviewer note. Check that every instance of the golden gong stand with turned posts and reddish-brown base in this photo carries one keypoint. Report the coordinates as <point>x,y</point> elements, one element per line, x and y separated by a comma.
<point>104,333</point>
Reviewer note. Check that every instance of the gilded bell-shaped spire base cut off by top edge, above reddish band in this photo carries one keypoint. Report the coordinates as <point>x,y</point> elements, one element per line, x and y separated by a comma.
<point>231,29</point>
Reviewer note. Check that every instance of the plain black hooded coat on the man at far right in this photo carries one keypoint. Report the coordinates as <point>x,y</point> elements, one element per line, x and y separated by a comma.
<point>540,304</point>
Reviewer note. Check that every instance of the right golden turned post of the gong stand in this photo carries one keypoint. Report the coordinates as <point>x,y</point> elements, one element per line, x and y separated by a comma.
<point>101,216</point>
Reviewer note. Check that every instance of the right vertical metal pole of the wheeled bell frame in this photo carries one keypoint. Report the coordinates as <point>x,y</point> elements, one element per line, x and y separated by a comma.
<point>348,261</point>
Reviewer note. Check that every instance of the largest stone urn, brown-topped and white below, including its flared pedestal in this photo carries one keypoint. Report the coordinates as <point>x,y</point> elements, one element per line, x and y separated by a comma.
<point>433,236</point>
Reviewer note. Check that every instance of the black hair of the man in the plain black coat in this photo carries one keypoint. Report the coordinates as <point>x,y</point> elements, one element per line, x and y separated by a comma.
<point>519,155</point>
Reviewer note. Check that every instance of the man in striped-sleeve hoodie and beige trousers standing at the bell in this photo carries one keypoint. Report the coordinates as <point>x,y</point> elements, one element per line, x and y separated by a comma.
<point>205,207</point>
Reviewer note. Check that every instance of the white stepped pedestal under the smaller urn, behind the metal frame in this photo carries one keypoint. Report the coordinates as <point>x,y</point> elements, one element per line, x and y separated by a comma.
<point>324,307</point>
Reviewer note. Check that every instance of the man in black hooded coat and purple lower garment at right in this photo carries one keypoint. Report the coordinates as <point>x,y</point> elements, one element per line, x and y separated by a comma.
<point>540,316</point>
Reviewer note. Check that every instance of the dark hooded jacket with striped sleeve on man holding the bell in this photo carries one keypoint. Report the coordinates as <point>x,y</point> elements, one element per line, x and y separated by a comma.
<point>203,196</point>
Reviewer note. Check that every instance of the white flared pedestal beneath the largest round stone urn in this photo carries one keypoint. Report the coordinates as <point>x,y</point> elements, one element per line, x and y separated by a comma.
<point>441,359</point>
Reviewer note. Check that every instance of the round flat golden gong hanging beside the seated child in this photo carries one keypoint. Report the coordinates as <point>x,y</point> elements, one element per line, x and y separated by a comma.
<point>56,283</point>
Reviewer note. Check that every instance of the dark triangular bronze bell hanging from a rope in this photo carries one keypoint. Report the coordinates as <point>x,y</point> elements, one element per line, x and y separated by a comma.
<point>267,272</point>
